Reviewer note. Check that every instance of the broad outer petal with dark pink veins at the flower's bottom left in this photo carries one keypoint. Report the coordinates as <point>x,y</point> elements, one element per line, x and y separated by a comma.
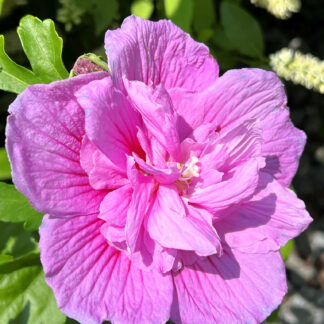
<point>93,282</point>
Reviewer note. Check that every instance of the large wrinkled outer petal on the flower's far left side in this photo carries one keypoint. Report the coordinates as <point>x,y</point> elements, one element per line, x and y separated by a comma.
<point>44,133</point>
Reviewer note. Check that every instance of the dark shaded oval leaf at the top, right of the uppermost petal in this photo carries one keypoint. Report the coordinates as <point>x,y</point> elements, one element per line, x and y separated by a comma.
<point>242,30</point>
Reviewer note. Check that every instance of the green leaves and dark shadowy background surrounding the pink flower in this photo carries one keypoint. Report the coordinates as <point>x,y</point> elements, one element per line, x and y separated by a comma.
<point>238,35</point>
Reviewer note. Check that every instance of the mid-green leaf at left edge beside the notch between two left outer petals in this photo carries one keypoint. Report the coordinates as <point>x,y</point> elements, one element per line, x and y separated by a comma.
<point>14,207</point>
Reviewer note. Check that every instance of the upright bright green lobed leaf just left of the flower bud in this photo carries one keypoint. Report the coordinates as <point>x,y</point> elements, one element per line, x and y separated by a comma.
<point>43,47</point>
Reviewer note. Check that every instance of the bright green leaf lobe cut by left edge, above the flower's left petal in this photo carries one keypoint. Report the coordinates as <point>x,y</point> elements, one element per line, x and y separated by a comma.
<point>13,77</point>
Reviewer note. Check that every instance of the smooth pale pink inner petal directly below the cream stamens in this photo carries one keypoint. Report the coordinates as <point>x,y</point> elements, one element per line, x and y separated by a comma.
<point>172,226</point>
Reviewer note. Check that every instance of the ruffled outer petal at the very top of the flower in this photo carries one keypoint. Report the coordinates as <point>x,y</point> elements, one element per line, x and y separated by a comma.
<point>159,52</point>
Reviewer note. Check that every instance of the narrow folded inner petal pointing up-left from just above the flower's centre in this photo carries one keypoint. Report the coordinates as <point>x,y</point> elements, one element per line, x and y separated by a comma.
<point>156,109</point>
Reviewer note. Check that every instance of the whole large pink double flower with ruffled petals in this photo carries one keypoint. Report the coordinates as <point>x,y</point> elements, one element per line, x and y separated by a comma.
<point>166,186</point>
